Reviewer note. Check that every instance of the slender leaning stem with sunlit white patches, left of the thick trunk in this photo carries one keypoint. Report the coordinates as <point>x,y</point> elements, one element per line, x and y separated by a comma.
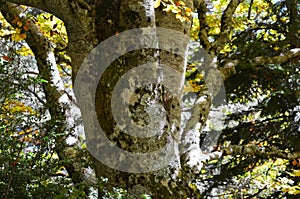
<point>56,98</point>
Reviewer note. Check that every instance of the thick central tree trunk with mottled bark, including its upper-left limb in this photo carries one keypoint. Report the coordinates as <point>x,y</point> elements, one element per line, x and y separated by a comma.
<point>157,101</point>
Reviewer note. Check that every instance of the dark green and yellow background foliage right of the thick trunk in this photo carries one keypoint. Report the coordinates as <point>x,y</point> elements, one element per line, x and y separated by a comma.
<point>264,102</point>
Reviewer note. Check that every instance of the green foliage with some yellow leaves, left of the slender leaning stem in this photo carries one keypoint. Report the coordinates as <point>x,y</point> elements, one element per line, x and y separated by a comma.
<point>29,166</point>
